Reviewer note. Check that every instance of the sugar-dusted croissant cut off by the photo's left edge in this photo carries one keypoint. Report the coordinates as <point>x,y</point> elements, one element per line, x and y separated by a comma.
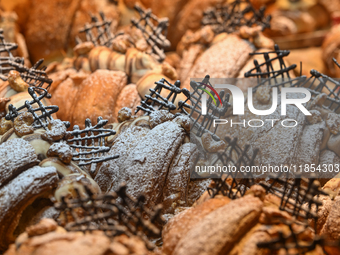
<point>22,183</point>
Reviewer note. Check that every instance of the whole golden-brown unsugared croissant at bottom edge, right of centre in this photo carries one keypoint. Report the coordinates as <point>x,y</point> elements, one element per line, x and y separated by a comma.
<point>230,227</point>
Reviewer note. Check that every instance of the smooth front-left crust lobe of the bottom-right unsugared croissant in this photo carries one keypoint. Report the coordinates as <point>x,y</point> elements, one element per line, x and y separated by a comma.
<point>222,228</point>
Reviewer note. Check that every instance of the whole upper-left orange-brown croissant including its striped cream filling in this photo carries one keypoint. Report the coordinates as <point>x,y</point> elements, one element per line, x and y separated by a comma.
<point>110,72</point>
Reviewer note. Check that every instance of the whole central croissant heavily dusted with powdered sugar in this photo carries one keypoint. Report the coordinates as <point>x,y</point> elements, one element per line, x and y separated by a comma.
<point>155,159</point>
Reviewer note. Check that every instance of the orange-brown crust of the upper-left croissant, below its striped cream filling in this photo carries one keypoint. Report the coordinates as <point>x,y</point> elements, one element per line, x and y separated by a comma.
<point>102,93</point>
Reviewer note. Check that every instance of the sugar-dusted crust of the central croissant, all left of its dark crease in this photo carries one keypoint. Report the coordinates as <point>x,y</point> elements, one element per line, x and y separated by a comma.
<point>144,165</point>
